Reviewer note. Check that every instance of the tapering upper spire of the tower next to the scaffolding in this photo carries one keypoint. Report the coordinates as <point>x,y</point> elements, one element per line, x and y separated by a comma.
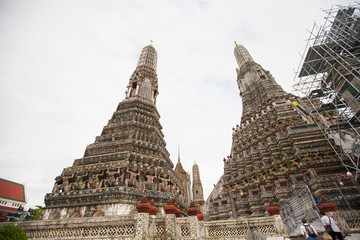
<point>257,86</point>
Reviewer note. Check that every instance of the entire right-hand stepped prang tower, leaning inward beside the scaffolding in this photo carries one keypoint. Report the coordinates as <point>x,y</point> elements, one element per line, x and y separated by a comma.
<point>276,149</point>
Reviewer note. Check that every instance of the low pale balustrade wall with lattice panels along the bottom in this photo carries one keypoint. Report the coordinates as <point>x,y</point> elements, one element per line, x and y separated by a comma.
<point>144,226</point>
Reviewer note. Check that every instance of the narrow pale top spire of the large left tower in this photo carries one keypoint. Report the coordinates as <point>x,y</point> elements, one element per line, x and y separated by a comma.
<point>143,82</point>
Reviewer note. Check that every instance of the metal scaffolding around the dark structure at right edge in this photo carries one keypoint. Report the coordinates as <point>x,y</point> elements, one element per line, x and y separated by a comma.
<point>328,82</point>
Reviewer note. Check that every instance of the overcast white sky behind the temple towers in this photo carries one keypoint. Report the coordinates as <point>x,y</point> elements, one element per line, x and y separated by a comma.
<point>64,66</point>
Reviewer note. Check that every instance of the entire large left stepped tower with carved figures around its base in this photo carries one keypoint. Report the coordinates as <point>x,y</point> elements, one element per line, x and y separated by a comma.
<point>127,161</point>
